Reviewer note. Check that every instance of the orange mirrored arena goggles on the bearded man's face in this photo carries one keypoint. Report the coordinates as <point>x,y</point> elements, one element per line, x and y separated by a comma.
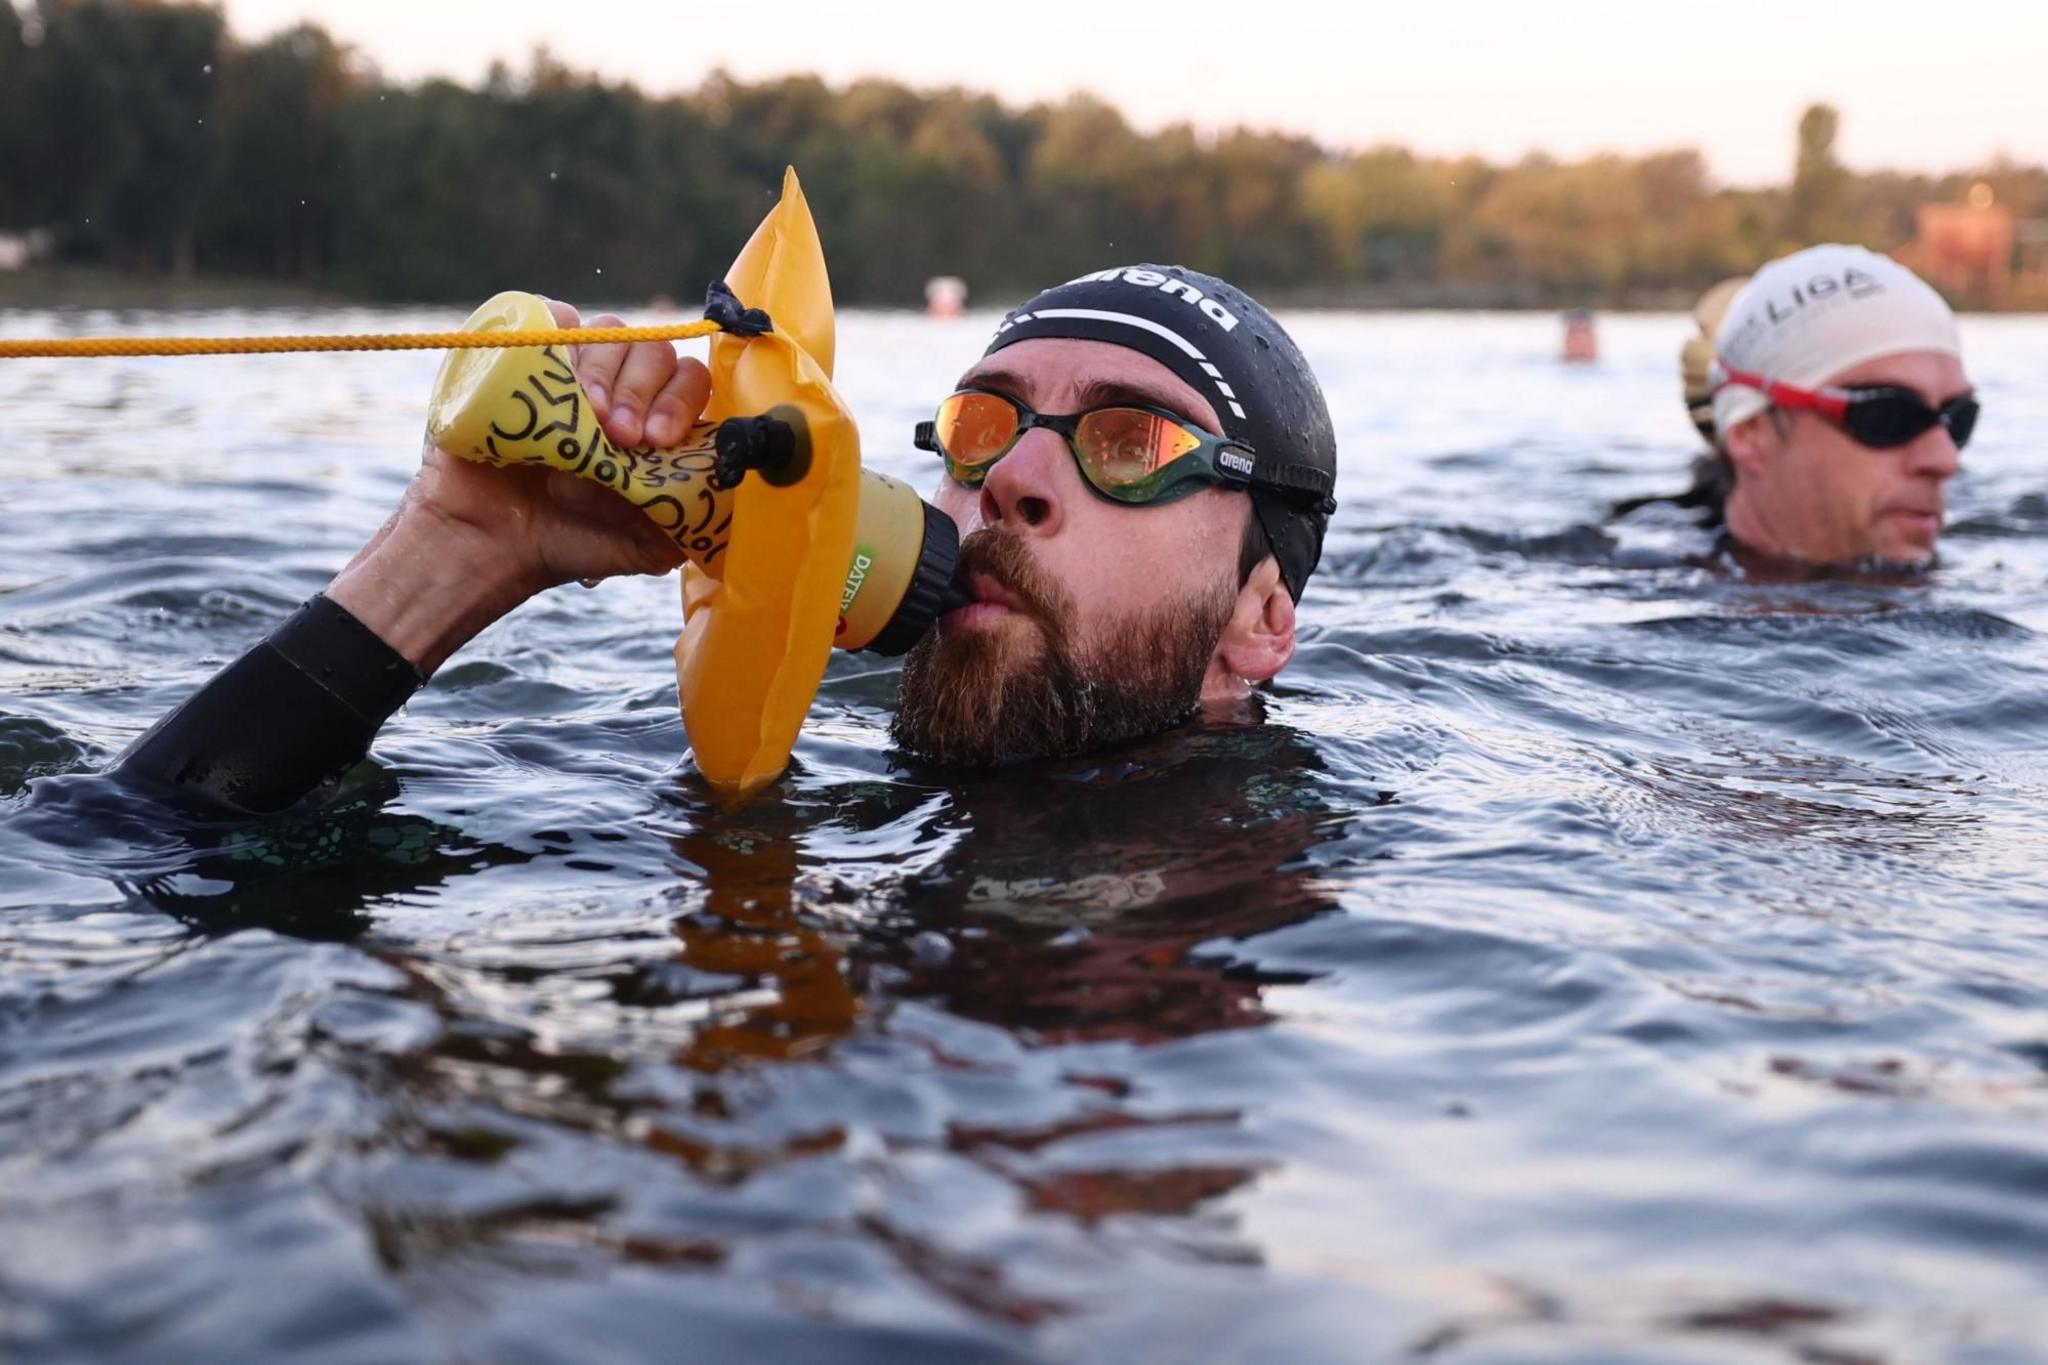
<point>1129,455</point>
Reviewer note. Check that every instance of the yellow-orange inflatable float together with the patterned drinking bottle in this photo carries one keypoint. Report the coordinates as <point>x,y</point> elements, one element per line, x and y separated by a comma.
<point>792,547</point>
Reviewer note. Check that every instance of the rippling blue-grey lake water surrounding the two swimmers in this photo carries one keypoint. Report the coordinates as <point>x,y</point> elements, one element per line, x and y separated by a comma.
<point>1588,959</point>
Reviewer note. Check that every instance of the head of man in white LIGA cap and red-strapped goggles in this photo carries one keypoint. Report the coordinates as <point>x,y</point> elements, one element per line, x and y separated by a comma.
<point>1840,410</point>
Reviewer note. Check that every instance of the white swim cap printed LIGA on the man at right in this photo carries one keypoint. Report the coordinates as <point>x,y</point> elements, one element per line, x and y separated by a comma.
<point>1816,314</point>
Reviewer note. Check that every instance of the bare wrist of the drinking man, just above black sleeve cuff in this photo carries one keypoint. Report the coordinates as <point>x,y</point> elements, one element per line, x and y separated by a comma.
<point>427,586</point>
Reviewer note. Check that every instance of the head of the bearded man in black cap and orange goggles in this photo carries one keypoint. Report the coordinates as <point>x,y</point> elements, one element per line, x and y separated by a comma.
<point>1091,539</point>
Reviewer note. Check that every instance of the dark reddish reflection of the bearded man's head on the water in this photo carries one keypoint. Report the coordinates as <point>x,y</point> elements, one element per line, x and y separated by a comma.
<point>1074,908</point>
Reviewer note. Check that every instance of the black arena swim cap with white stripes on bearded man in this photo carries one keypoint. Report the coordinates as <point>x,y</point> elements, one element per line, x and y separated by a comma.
<point>1236,355</point>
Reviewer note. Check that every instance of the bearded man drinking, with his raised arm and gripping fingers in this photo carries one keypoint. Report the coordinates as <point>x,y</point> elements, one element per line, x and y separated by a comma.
<point>1140,466</point>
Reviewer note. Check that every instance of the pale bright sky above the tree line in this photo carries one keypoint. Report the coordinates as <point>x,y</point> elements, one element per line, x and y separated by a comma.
<point>1920,87</point>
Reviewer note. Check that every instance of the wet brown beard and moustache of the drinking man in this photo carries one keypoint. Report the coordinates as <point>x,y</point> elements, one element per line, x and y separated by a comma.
<point>990,697</point>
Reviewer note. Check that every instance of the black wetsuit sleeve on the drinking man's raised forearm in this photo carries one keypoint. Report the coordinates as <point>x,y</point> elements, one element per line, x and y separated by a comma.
<point>296,711</point>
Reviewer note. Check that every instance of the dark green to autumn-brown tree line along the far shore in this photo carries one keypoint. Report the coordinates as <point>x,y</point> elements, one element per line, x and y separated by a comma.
<point>144,136</point>
